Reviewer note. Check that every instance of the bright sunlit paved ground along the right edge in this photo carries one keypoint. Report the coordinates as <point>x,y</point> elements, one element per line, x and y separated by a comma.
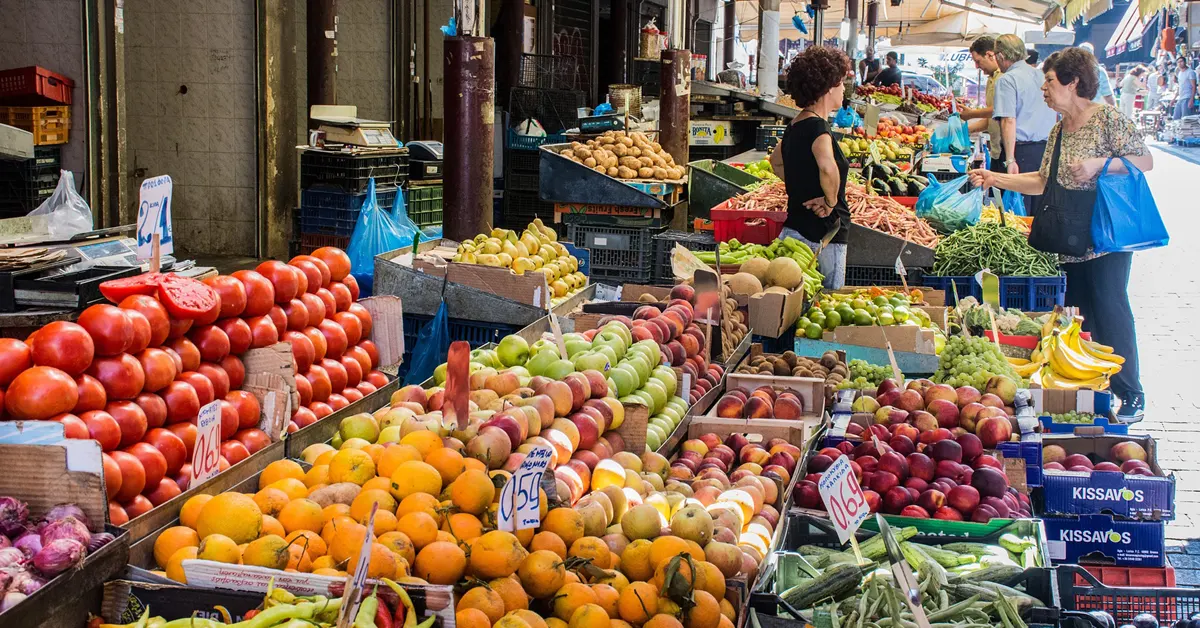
<point>1165,289</point>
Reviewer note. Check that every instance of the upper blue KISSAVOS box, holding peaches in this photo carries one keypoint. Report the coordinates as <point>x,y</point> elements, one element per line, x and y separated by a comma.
<point>1147,498</point>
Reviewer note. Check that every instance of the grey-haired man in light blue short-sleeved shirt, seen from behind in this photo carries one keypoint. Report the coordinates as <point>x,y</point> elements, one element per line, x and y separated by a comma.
<point>1025,119</point>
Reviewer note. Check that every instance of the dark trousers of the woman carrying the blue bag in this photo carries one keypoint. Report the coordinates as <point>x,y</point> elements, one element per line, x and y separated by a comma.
<point>1100,289</point>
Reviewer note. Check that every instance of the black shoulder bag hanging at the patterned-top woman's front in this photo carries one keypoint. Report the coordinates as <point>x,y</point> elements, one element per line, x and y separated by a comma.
<point>1065,223</point>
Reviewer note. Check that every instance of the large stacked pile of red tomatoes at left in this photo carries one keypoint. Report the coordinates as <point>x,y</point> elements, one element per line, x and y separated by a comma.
<point>135,376</point>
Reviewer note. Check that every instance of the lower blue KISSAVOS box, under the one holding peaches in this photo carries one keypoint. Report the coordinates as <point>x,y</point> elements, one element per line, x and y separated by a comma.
<point>1102,539</point>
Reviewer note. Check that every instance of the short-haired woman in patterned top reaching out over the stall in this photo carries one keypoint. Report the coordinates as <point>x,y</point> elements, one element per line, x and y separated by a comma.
<point>1087,137</point>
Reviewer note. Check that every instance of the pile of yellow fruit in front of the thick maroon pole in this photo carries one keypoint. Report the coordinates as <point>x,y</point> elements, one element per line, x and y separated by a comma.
<point>533,250</point>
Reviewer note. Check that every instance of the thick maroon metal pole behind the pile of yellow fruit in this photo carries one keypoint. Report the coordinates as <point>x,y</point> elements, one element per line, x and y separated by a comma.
<point>470,98</point>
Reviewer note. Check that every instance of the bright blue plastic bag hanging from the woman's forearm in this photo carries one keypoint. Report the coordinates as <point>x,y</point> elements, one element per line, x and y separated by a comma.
<point>1126,217</point>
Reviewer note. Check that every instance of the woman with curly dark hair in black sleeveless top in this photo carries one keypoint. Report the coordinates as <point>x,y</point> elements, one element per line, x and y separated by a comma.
<point>812,165</point>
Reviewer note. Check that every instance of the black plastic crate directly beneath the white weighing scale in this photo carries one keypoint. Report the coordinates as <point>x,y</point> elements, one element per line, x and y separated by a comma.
<point>353,172</point>
